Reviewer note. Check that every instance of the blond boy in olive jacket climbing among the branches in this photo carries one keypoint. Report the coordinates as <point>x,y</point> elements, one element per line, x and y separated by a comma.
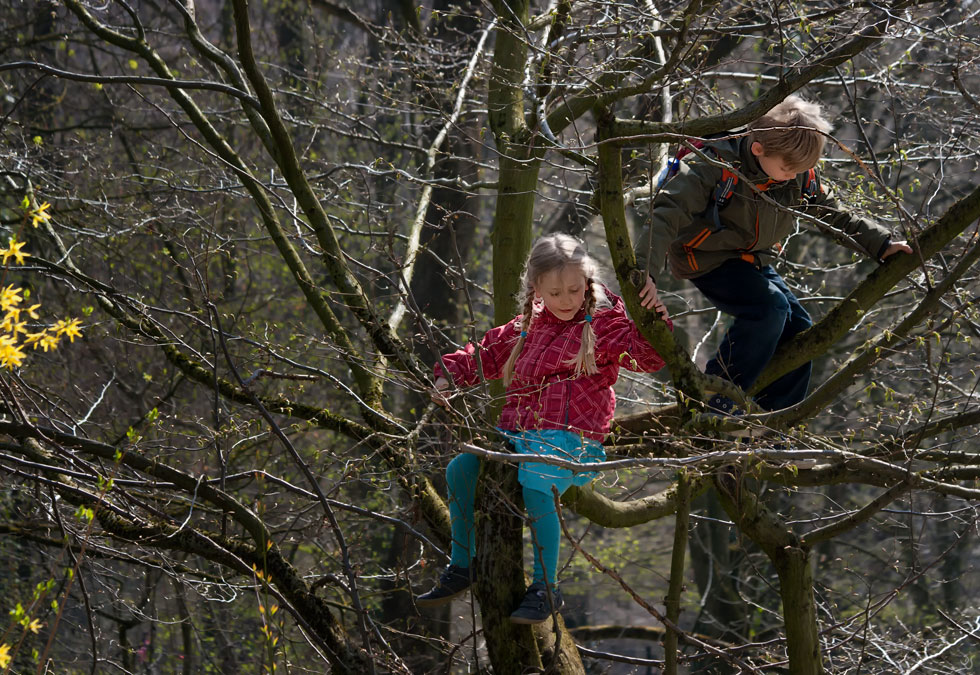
<point>720,230</point>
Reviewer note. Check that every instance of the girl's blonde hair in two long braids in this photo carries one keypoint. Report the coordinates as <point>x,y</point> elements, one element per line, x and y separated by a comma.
<point>554,253</point>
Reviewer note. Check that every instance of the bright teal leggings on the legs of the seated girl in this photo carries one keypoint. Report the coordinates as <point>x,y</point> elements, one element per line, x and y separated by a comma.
<point>461,475</point>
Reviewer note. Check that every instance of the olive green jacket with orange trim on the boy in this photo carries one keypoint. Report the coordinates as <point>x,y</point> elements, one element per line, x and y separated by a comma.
<point>684,232</point>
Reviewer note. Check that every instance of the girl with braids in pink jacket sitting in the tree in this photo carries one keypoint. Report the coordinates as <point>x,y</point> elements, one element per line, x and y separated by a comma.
<point>559,360</point>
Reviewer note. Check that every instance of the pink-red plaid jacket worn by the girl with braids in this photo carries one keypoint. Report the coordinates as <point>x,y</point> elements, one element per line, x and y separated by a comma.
<point>545,393</point>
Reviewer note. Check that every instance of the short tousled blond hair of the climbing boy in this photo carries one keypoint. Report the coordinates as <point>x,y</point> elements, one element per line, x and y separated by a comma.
<point>794,130</point>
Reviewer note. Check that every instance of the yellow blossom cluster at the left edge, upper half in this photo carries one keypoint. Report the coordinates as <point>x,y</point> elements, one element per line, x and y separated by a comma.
<point>14,333</point>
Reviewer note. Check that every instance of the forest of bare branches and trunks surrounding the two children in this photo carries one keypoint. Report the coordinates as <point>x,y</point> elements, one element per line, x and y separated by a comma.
<point>239,235</point>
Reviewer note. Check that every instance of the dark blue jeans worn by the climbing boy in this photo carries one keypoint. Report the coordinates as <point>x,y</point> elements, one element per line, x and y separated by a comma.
<point>767,314</point>
